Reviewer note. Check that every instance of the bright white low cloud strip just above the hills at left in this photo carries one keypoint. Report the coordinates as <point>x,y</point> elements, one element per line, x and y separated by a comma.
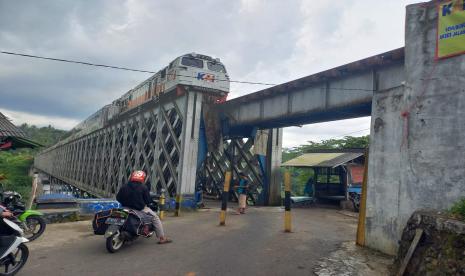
<point>18,118</point>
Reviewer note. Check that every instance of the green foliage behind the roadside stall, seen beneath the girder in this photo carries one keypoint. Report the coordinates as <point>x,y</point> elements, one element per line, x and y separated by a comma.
<point>300,176</point>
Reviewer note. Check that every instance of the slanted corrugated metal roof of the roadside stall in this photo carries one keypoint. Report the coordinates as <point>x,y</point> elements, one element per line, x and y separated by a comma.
<point>322,159</point>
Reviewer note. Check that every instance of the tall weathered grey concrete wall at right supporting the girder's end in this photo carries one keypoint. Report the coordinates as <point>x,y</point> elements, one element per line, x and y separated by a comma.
<point>421,165</point>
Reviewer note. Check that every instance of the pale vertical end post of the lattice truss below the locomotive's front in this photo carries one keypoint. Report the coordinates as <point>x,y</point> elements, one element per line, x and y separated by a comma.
<point>190,140</point>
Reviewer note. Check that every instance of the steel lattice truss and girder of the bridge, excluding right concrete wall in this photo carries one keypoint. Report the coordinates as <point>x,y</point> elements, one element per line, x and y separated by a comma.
<point>165,137</point>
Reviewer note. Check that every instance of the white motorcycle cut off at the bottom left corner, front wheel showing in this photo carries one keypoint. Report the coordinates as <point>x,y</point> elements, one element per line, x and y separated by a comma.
<point>13,251</point>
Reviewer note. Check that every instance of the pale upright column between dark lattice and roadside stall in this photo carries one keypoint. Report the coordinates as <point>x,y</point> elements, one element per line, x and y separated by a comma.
<point>273,168</point>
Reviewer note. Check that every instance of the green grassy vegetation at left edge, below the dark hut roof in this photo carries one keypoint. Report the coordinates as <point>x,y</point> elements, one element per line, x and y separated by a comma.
<point>14,166</point>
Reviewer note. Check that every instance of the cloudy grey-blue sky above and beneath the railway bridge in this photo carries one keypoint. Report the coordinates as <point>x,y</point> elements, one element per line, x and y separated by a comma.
<point>271,41</point>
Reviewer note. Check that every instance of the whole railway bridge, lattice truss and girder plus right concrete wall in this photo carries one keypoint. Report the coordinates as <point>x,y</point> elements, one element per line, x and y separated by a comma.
<point>184,142</point>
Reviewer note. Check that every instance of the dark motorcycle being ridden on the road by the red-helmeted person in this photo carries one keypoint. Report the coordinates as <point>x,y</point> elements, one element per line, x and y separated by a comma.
<point>121,225</point>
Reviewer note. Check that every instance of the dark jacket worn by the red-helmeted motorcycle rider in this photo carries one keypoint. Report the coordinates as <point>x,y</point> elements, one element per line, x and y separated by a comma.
<point>134,195</point>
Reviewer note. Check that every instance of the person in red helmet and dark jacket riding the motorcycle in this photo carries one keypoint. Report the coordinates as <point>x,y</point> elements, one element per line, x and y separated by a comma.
<point>135,195</point>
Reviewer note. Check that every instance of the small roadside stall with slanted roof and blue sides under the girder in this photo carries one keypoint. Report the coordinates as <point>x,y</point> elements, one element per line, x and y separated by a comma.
<point>337,174</point>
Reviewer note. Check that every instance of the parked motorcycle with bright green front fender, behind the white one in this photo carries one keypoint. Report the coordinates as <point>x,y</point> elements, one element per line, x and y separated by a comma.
<point>30,221</point>
